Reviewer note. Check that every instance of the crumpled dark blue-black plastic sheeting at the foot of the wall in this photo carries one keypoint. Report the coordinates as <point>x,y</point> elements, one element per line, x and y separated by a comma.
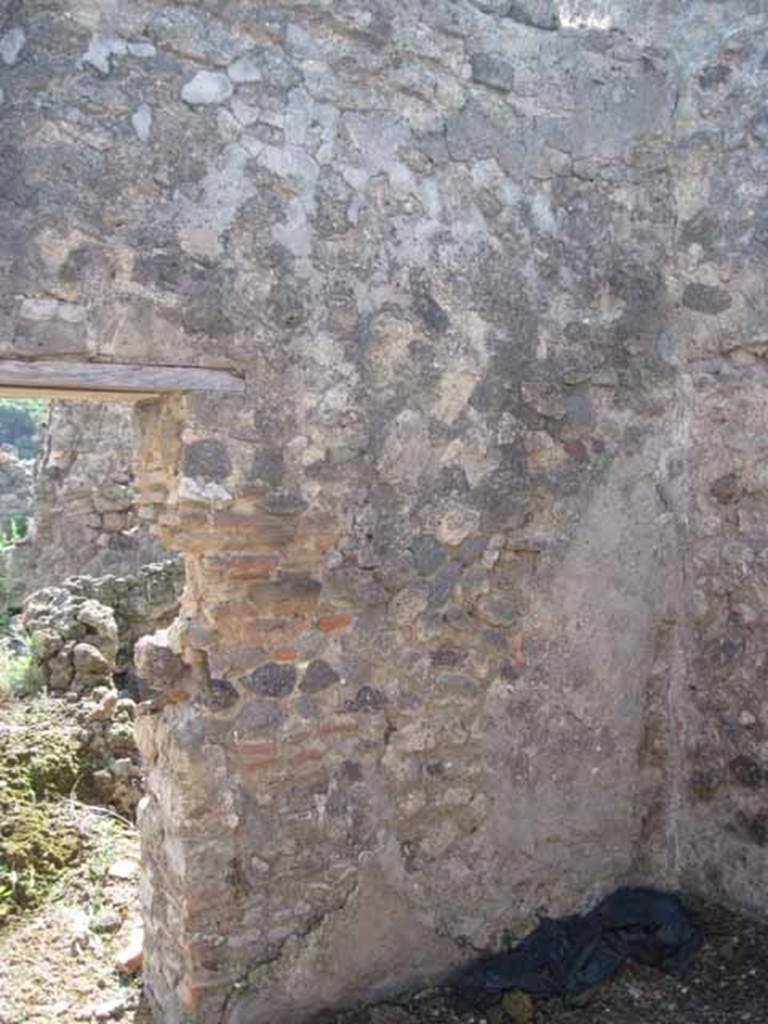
<point>568,956</point>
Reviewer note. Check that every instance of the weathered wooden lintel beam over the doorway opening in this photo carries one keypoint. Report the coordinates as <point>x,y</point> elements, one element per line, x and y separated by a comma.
<point>120,381</point>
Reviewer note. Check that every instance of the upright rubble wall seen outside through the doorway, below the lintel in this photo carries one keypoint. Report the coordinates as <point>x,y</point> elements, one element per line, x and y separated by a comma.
<point>86,517</point>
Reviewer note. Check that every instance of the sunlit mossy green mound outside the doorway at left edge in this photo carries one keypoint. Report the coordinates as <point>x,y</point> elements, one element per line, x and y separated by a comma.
<point>39,766</point>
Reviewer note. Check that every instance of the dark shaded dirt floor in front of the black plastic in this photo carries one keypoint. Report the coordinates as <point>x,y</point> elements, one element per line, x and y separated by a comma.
<point>727,985</point>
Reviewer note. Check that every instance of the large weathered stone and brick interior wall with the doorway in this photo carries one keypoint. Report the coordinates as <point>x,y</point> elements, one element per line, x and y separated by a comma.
<point>476,581</point>
